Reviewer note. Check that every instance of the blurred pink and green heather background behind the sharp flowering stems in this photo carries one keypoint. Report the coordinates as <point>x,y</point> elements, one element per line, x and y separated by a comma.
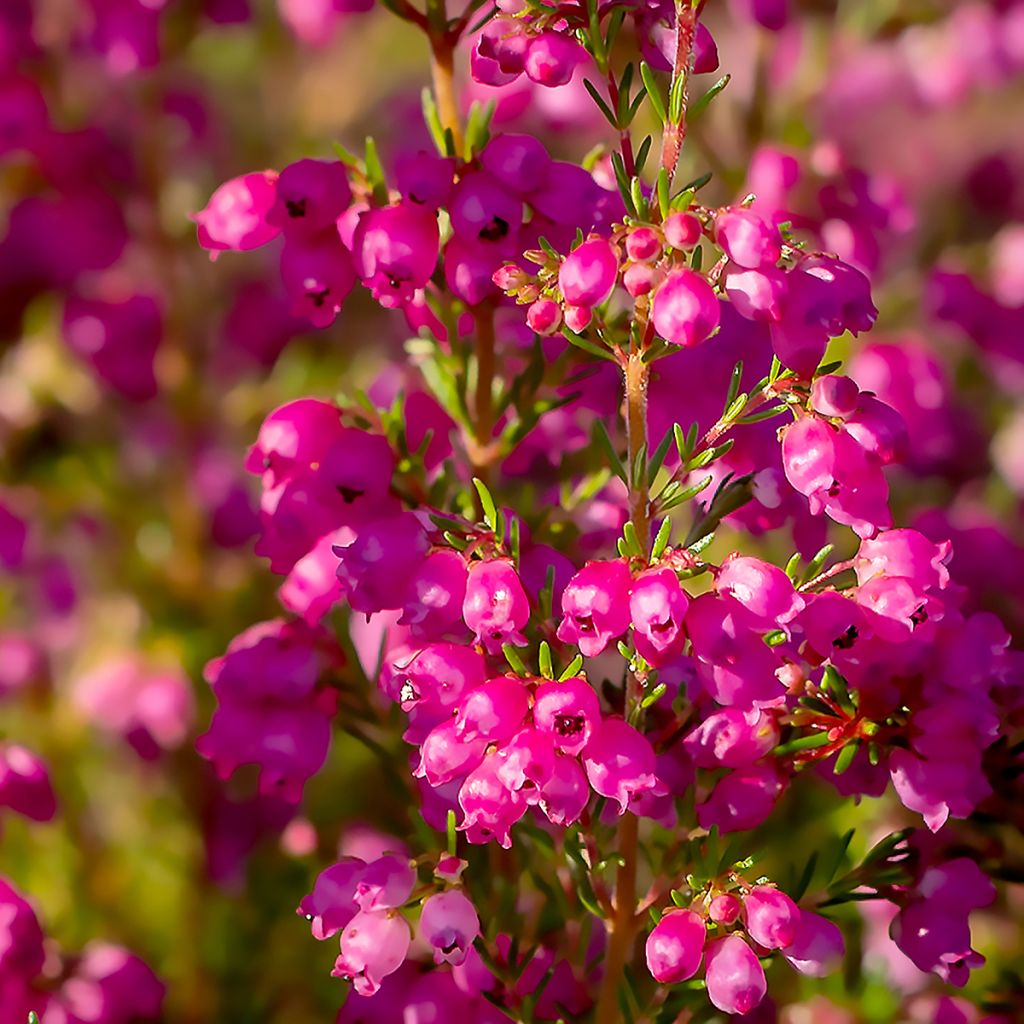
<point>135,374</point>
